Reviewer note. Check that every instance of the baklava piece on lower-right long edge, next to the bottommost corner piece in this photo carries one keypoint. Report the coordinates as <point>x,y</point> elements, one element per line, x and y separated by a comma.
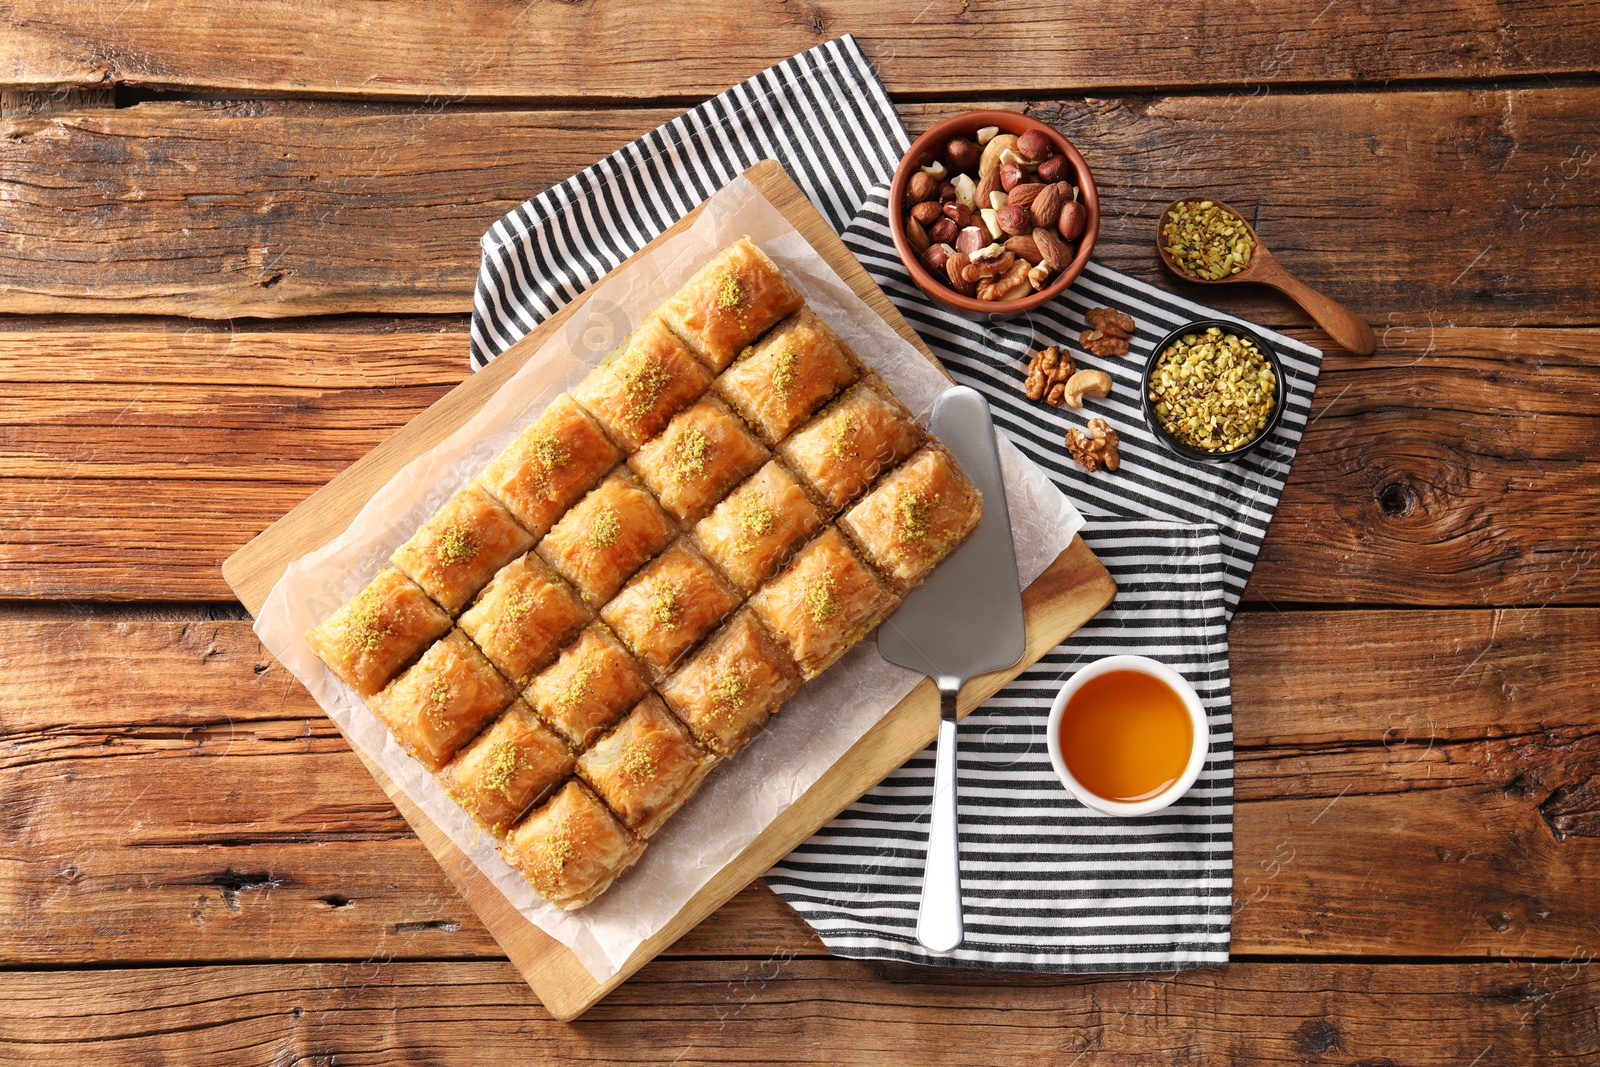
<point>647,767</point>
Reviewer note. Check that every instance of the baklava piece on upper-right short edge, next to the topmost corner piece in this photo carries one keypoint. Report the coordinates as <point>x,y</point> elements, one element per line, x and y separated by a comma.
<point>788,375</point>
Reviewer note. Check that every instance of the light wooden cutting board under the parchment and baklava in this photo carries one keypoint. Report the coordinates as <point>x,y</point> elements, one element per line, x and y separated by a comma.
<point>1063,599</point>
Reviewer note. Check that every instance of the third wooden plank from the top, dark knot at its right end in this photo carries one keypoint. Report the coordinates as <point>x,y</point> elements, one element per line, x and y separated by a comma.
<point>1457,468</point>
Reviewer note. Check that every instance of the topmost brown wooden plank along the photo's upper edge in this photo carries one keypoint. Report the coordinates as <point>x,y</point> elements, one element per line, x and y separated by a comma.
<point>486,50</point>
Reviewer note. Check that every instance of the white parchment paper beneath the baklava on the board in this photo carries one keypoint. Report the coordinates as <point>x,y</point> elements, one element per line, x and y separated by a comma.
<point>806,738</point>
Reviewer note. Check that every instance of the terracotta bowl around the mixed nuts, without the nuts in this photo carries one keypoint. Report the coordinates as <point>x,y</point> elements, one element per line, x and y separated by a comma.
<point>929,148</point>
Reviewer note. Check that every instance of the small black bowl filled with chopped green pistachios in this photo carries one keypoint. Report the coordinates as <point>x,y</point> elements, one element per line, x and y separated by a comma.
<point>1214,391</point>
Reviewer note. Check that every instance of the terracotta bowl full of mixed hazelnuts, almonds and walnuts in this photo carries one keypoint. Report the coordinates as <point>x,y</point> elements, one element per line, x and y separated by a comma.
<point>993,214</point>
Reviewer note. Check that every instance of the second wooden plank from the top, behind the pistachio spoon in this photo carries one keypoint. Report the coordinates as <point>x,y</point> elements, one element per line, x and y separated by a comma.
<point>222,210</point>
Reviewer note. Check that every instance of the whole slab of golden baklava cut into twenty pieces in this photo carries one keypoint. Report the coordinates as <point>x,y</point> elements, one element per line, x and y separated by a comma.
<point>652,569</point>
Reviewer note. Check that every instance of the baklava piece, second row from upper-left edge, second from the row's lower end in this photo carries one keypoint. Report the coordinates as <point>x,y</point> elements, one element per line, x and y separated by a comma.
<point>524,618</point>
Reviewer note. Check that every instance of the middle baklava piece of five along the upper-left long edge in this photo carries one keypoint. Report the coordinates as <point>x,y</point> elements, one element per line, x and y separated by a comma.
<point>551,466</point>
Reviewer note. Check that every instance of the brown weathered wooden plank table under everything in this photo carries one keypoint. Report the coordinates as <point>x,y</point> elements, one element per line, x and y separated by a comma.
<point>238,250</point>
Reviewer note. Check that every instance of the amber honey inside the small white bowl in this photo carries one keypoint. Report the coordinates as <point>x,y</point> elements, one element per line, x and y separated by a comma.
<point>1127,737</point>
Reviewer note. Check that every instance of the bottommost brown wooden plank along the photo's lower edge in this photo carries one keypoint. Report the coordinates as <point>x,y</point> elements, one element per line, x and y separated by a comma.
<point>814,1012</point>
